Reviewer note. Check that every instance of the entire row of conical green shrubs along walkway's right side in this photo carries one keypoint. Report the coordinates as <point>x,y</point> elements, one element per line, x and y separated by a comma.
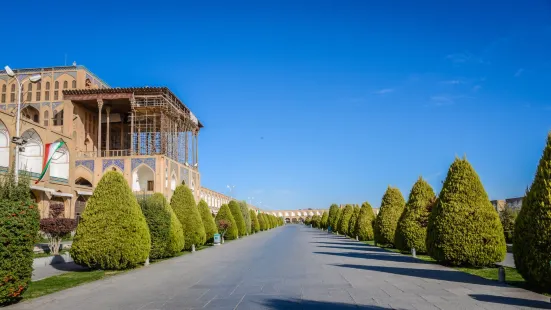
<point>459,227</point>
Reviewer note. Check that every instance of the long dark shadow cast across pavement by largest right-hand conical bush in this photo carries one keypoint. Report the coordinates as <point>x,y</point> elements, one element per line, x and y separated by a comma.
<point>435,274</point>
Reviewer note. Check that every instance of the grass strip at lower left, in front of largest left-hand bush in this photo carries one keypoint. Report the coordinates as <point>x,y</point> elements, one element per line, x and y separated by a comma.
<point>64,281</point>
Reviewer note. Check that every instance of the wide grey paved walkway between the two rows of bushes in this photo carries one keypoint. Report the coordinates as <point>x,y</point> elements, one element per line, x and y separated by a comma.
<point>291,267</point>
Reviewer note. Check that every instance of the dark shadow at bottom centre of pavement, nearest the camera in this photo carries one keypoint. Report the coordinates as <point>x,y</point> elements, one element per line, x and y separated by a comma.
<point>292,304</point>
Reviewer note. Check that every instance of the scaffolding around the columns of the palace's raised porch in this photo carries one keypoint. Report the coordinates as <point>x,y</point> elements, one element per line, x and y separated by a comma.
<point>162,125</point>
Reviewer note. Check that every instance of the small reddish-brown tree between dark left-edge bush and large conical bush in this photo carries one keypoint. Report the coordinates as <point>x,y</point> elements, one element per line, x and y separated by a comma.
<point>56,227</point>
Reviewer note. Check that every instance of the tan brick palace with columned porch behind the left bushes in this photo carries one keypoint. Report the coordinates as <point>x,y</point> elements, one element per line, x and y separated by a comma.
<point>145,133</point>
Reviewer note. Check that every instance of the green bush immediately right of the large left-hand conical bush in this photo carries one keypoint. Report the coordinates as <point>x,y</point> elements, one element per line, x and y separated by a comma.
<point>167,235</point>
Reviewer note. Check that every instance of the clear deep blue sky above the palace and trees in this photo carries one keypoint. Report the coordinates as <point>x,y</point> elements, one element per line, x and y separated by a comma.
<point>306,103</point>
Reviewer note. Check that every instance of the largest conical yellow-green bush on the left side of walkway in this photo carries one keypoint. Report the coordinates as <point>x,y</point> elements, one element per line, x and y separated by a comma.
<point>112,232</point>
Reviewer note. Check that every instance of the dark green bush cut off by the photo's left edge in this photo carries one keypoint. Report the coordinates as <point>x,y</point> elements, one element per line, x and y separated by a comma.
<point>19,223</point>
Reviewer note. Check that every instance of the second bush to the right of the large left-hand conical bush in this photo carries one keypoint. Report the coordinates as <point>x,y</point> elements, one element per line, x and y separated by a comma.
<point>183,204</point>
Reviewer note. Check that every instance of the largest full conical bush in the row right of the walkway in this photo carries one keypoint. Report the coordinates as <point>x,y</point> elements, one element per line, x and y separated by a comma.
<point>464,228</point>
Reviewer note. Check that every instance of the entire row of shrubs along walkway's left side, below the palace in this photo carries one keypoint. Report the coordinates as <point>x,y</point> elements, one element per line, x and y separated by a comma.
<point>116,230</point>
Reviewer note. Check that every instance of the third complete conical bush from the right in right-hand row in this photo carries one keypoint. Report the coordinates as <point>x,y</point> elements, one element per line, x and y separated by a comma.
<point>386,222</point>
